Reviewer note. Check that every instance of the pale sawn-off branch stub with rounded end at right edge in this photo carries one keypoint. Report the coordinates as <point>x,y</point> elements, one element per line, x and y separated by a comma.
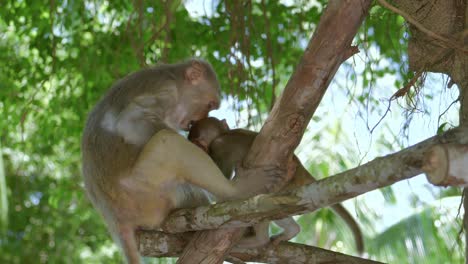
<point>447,165</point>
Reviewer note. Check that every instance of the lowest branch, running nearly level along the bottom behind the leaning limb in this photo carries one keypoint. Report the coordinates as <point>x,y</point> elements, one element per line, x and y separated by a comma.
<point>158,244</point>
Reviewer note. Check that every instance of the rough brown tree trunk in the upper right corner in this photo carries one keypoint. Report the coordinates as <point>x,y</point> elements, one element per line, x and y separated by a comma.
<point>444,18</point>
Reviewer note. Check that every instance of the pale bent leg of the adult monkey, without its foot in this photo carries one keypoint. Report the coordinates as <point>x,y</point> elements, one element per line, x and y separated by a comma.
<point>168,159</point>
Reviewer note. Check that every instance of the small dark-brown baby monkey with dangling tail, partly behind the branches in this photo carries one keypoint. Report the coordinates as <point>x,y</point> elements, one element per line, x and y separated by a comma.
<point>228,148</point>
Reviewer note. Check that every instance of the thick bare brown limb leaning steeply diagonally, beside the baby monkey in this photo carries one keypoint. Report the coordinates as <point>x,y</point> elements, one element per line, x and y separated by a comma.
<point>290,115</point>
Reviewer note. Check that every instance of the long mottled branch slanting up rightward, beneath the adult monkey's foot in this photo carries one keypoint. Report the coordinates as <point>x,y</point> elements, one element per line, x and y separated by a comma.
<point>380,172</point>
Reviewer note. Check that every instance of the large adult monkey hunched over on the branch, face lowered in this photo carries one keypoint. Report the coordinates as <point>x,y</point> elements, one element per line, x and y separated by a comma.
<point>136,167</point>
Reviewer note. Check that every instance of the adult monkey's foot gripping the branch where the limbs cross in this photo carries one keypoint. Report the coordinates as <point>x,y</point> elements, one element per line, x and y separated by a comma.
<point>264,179</point>
